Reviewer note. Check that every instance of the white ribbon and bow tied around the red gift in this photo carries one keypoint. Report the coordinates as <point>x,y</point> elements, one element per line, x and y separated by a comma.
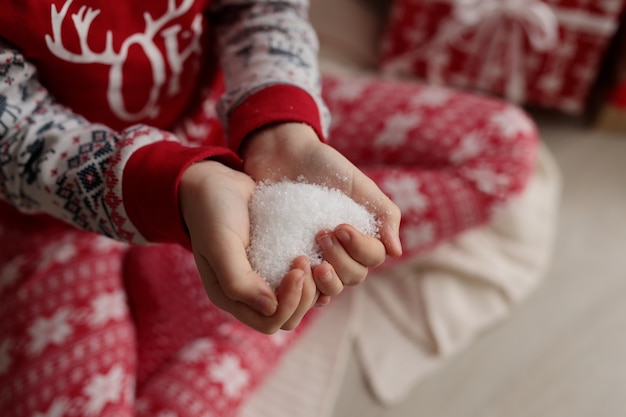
<point>500,22</point>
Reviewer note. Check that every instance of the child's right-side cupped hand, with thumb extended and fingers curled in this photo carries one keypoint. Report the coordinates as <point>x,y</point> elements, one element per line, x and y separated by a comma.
<point>293,151</point>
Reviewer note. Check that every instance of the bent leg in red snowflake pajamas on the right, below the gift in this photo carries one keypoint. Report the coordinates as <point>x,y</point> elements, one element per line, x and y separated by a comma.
<point>446,158</point>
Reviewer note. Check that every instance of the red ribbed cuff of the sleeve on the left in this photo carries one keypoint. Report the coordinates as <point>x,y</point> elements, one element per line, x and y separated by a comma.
<point>150,187</point>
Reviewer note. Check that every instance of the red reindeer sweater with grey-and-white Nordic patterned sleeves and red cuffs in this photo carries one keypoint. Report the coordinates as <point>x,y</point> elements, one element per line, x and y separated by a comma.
<point>90,92</point>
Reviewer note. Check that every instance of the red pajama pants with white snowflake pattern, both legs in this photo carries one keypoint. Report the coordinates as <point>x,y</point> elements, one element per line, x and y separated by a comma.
<point>91,327</point>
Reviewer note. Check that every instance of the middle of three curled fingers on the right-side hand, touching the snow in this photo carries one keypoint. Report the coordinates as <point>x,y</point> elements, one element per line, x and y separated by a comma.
<point>349,271</point>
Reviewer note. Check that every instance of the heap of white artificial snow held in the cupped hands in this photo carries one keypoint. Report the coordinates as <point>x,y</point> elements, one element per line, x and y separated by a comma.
<point>286,216</point>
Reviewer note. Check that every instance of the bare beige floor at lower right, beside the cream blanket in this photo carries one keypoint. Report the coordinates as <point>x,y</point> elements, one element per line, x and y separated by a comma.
<point>563,353</point>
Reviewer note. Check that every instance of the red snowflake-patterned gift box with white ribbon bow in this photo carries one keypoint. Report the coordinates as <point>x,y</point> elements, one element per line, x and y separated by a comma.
<point>545,53</point>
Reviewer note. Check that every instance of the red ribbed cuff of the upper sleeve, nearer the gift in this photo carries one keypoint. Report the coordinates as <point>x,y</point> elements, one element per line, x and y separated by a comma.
<point>275,104</point>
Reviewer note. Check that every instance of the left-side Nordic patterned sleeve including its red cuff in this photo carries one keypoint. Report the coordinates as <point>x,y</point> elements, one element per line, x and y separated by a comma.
<point>119,184</point>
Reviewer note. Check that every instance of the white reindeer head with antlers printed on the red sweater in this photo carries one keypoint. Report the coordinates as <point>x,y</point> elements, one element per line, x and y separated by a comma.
<point>175,58</point>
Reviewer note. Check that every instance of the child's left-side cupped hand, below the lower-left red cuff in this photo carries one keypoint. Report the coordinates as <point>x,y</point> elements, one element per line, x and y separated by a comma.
<point>214,202</point>
